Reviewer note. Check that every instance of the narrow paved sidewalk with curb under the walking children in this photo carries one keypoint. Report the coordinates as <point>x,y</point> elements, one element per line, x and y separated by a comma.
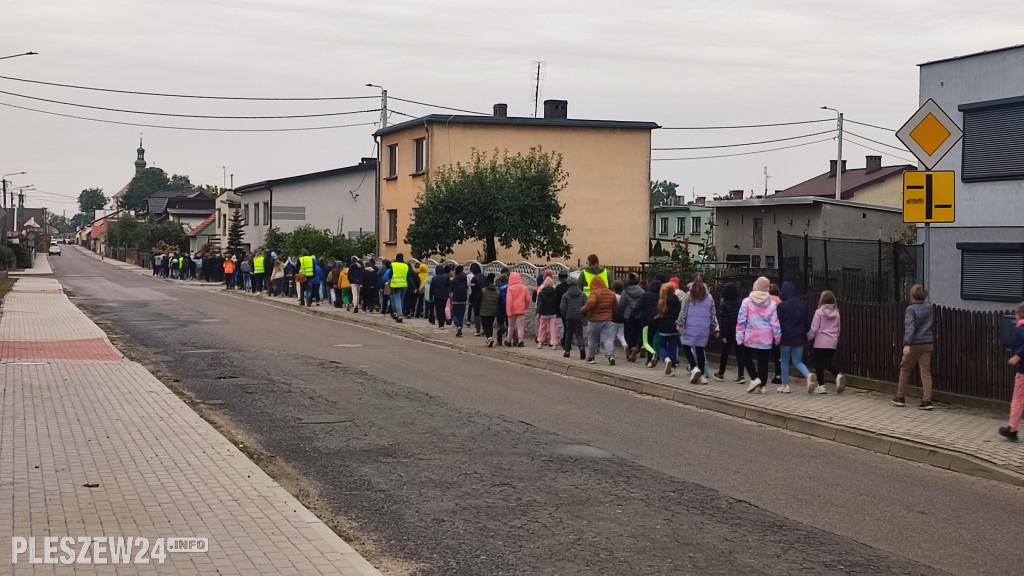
<point>951,437</point>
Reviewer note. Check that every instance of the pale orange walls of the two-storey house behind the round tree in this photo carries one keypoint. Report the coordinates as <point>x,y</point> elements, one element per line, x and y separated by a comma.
<point>606,200</point>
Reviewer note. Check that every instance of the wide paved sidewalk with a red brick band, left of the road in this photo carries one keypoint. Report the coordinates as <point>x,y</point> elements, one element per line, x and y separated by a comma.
<point>94,445</point>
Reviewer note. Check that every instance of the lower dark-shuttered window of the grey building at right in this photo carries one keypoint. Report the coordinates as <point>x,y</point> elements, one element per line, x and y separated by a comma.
<point>993,272</point>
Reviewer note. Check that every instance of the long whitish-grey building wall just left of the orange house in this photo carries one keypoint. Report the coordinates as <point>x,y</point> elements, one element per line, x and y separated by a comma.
<point>340,200</point>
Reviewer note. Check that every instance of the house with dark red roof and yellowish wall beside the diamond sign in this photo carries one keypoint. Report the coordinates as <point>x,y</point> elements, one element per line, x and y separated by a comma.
<point>875,184</point>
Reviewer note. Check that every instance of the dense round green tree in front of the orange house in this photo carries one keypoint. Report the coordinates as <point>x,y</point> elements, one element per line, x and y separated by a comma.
<point>499,201</point>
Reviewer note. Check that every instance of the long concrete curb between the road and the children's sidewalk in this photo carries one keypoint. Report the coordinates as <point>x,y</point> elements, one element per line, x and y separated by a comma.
<point>866,440</point>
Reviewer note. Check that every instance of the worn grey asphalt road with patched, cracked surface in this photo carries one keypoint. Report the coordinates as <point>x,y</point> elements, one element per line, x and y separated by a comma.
<point>432,462</point>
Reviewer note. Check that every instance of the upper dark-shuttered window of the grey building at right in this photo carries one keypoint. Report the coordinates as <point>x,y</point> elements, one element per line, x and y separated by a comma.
<point>994,141</point>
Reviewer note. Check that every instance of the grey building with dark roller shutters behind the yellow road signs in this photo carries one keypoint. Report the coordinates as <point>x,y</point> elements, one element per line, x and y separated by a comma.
<point>977,263</point>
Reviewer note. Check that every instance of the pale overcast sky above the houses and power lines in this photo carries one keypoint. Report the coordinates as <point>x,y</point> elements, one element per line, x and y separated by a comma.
<point>680,64</point>
